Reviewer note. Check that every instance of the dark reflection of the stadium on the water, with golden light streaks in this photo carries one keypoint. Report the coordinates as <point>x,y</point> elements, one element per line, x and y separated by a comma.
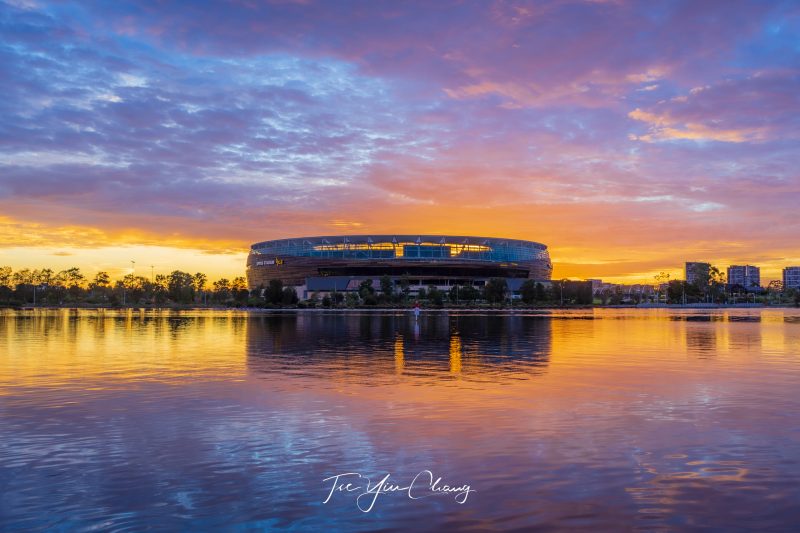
<point>439,346</point>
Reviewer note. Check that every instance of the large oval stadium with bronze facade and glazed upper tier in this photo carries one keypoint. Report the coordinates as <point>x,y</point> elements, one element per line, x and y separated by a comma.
<point>340,262</point>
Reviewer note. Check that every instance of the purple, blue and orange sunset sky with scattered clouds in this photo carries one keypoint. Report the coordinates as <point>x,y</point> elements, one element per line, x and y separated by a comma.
<point>627,136</point>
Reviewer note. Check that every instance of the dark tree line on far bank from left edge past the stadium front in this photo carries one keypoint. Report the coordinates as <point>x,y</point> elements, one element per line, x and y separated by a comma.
<point>68,287</point>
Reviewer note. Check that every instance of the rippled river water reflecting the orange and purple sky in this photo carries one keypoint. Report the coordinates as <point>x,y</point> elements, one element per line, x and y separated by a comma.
<point>599,420</point>
